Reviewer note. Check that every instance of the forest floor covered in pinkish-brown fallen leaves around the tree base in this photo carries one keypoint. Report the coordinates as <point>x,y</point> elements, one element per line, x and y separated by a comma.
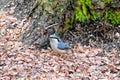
<point>21,62</point>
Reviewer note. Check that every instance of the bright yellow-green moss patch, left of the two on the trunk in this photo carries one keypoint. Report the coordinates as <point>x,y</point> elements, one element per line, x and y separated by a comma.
<point>84,11</point>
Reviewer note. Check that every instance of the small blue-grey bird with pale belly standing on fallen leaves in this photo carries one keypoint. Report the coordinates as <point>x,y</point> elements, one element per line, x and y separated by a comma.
<point>58,45</point>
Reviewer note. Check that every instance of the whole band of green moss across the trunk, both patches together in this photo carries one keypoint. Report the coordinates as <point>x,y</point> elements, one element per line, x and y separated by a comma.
<point>84,11</point>
